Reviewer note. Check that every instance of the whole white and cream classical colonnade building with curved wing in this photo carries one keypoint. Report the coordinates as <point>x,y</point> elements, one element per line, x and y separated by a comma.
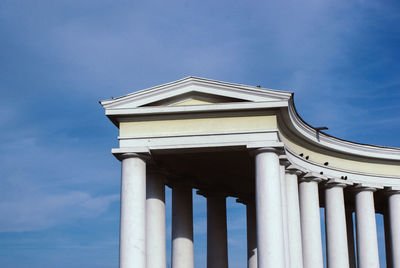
<point>247,142</point>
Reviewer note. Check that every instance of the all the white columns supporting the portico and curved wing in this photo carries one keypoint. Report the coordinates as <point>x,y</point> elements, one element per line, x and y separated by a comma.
<point>283,220</point>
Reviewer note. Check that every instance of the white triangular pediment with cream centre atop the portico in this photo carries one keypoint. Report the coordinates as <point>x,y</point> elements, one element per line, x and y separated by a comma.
<point>195,91</point>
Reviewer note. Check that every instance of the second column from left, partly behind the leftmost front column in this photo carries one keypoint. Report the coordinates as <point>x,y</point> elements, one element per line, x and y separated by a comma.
<point>155,221</point>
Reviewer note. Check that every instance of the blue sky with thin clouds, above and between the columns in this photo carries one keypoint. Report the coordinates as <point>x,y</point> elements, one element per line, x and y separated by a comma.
<point>59,184</point>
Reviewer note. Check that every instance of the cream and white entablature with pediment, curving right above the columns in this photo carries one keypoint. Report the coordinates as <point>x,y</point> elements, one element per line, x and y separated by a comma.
<point>195,113</point>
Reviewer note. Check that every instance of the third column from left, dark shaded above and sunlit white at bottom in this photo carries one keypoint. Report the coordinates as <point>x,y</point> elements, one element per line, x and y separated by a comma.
<point>182,227</point>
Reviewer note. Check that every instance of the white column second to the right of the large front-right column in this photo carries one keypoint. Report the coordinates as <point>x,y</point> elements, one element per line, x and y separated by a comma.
<point>294,225</point>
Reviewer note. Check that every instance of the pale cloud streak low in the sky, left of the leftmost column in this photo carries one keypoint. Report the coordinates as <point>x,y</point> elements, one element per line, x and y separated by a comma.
<point>38,211</point>
